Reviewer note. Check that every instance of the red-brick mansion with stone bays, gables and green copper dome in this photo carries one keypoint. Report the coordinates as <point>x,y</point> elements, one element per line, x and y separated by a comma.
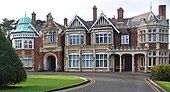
<point>101,45</point>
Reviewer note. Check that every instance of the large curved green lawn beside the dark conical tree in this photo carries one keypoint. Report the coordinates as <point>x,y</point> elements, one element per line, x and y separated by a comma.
<point>40,83</point>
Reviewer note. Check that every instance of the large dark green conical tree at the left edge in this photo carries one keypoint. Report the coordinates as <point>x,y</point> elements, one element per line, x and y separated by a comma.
<point>11,68</point>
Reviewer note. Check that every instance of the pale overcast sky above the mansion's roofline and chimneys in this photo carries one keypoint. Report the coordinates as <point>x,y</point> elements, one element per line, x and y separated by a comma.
<point>15,9</point>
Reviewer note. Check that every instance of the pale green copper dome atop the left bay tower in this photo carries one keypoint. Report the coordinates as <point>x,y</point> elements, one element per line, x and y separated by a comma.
<point>24,25</point>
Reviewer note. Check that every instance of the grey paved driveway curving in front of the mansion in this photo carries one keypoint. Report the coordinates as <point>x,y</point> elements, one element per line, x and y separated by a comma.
<point>111,82</point>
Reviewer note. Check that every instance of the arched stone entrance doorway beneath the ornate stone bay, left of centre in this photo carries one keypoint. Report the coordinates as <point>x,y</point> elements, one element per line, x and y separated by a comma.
<point>50,62</point>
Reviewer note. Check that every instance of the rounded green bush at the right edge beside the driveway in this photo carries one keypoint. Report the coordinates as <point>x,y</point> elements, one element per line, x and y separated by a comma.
<point>161,72</point>
